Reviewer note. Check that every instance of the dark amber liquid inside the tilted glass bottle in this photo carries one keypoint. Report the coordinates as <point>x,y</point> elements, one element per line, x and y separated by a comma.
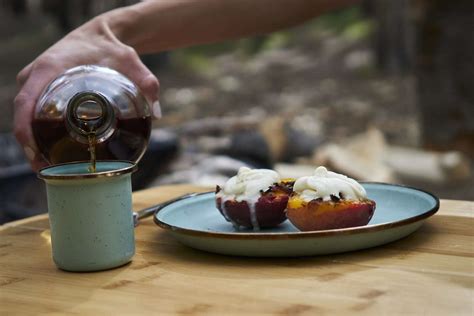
<point>126,143</point>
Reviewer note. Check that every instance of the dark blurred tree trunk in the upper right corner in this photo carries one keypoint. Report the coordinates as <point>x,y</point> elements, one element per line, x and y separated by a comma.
<point>445,74</point>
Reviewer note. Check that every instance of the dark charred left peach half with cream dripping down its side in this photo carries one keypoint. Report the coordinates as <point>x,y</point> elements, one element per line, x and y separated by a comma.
<point>268,211</point>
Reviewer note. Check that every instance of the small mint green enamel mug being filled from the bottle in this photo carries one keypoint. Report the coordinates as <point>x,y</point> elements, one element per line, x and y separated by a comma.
<point>90,214</point>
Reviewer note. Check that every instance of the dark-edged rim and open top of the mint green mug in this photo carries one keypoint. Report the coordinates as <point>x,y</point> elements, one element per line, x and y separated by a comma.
<point>79,170</point>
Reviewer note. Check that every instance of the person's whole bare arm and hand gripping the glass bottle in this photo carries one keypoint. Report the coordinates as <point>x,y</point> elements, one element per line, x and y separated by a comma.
<point>114,39</point>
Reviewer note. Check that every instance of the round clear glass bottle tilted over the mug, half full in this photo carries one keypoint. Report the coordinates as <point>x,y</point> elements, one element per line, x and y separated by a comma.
<point>91,105</point>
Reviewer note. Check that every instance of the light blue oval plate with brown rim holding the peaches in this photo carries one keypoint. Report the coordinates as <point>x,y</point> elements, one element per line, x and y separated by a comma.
<point>197,223</point>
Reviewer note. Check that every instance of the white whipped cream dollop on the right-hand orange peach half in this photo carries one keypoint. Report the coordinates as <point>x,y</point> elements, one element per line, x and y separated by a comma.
<point>325,183</point>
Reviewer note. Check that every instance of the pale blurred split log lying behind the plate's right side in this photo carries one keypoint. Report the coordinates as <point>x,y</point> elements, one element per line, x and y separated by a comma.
<point>368,157</point>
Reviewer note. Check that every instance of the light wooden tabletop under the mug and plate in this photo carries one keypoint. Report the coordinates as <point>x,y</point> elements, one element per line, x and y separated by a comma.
<point>427,273</point>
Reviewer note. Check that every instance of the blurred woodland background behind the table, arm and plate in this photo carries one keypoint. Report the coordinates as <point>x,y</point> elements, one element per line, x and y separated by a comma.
<point>382,91</point>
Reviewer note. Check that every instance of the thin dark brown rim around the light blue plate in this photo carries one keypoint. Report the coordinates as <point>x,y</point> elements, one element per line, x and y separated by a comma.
<point>301,234</point>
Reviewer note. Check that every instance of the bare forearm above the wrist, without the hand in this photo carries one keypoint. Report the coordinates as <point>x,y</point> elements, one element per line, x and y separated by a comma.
<point>153,26</point>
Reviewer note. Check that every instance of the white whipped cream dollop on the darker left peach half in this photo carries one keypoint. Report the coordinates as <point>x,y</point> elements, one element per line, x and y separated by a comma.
<point>248,183</point>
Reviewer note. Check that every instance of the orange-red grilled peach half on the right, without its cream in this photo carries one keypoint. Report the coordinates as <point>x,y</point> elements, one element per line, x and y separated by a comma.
<point>322,215</point>
